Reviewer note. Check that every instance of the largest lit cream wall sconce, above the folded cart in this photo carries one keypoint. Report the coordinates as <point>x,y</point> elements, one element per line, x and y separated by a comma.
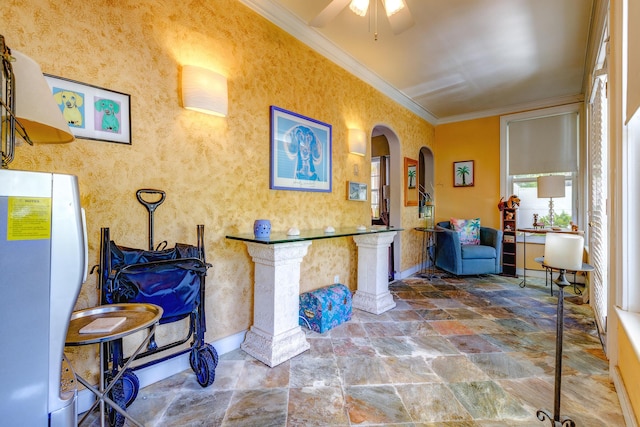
<point>204,90</point>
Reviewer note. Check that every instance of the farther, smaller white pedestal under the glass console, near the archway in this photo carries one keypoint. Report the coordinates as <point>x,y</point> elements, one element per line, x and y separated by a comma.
<point>373,272</point>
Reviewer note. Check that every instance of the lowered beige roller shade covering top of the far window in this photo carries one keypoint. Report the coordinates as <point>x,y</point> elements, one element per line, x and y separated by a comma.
<point>543,145</point>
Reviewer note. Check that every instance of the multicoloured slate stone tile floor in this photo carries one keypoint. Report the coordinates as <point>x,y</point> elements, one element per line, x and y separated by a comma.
<point>454,352</point>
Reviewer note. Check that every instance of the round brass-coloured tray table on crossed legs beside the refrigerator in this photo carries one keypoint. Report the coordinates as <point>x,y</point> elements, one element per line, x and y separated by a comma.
<point>138,317</point>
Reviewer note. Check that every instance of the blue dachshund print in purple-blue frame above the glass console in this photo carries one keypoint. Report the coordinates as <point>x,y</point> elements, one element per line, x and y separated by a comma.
<point>300,152</point>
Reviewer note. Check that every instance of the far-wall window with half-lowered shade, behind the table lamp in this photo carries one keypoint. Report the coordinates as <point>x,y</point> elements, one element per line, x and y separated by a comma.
<point>536,143</point>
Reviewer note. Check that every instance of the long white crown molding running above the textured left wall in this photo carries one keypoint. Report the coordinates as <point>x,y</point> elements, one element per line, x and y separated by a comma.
<point>290,23</point>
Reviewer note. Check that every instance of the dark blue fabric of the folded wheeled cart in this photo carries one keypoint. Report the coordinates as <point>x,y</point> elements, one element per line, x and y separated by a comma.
<point>169,278</point>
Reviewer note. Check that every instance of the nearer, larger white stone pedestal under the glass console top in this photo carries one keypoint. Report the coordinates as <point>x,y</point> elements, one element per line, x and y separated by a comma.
<point>275,335</point>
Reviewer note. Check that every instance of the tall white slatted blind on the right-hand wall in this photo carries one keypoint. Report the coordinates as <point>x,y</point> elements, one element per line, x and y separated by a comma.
<point>598,200</point>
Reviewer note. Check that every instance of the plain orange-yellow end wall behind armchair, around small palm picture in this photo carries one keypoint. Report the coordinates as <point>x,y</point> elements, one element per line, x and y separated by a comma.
<point>477,140</point>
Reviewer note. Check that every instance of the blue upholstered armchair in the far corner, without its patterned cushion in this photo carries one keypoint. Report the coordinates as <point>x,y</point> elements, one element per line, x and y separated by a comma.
<point>463,260</point>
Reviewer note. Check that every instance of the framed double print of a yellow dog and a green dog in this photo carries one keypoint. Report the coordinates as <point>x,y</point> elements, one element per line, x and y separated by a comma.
<point>93,112</point>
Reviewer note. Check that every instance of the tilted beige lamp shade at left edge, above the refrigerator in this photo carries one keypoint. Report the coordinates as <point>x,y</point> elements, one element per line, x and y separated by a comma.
<point>36,109</point>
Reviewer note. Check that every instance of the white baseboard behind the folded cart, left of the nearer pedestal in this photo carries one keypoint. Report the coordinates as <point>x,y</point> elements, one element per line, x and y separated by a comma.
<point>165,369</point>
